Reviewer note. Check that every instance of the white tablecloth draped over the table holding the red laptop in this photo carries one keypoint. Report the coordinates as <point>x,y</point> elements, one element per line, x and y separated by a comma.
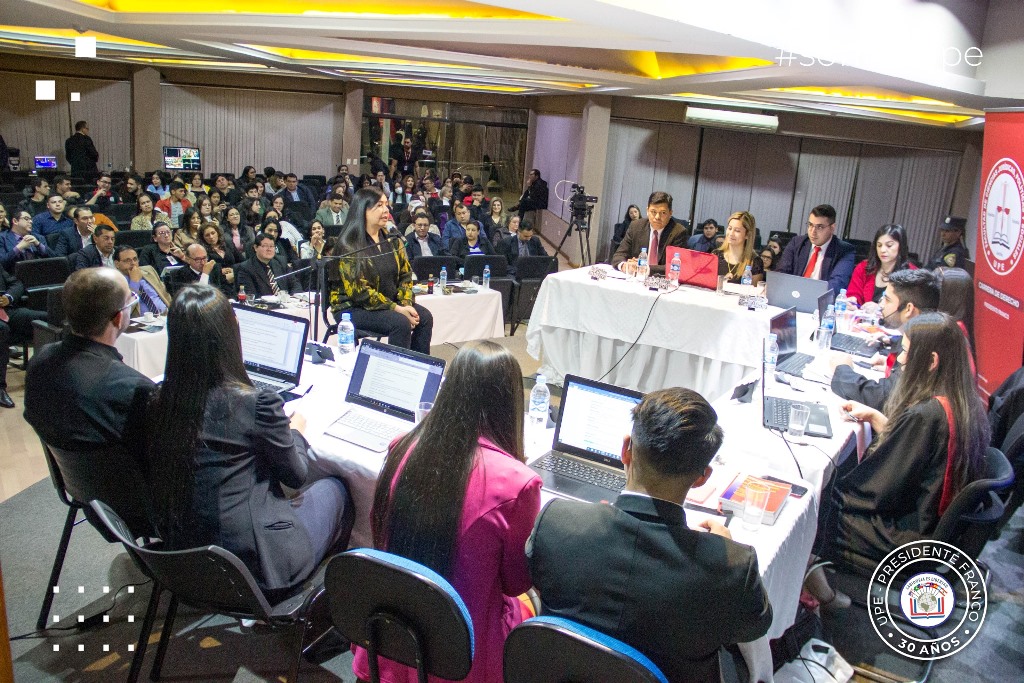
<point>694,338</point>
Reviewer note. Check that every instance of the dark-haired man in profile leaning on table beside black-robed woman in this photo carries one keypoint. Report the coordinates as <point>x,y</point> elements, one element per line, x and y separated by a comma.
<point>909,294</point>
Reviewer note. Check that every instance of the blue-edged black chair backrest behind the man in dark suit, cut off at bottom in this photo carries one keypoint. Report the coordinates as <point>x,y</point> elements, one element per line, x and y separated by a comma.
<point>552,650</point>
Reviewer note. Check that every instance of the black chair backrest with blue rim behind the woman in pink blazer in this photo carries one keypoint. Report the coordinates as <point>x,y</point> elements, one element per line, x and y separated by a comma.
<point>390,605</point>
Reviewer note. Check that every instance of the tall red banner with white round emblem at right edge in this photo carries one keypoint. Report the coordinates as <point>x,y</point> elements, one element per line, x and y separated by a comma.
<point>999,276</point>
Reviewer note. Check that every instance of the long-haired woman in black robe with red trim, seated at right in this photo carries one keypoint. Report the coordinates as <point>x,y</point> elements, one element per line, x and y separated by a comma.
<point>930,444</point>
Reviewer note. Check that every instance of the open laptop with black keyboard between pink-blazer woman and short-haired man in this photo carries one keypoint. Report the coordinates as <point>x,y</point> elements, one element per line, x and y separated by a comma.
<point>586,460</point>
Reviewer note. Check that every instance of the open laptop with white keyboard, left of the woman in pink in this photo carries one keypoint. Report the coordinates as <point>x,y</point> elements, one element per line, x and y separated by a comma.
<point>388,385</point>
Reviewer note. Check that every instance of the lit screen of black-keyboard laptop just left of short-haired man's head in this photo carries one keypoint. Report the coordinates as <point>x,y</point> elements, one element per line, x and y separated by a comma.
<point>594,419</point>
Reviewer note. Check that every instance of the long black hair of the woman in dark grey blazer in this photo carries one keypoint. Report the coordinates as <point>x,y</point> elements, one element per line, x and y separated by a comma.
<point>204,353</point>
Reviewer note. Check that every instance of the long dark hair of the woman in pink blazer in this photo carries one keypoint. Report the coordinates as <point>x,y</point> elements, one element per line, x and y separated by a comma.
<point>417,511</point>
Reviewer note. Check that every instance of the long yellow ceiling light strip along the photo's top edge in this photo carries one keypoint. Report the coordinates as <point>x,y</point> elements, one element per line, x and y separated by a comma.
<point>462,10</point>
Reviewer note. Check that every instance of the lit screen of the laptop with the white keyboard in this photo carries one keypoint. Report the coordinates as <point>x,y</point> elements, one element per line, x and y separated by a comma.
<point>394,380</point>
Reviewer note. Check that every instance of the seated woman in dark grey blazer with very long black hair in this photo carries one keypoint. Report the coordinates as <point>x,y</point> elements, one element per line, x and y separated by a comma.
<point>221,452</point>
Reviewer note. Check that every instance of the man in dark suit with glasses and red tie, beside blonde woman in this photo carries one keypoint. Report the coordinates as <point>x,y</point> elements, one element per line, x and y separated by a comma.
<point>820,254</point>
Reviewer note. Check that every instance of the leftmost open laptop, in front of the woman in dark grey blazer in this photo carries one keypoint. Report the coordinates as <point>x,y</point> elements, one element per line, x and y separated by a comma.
<point>273,347</point>
